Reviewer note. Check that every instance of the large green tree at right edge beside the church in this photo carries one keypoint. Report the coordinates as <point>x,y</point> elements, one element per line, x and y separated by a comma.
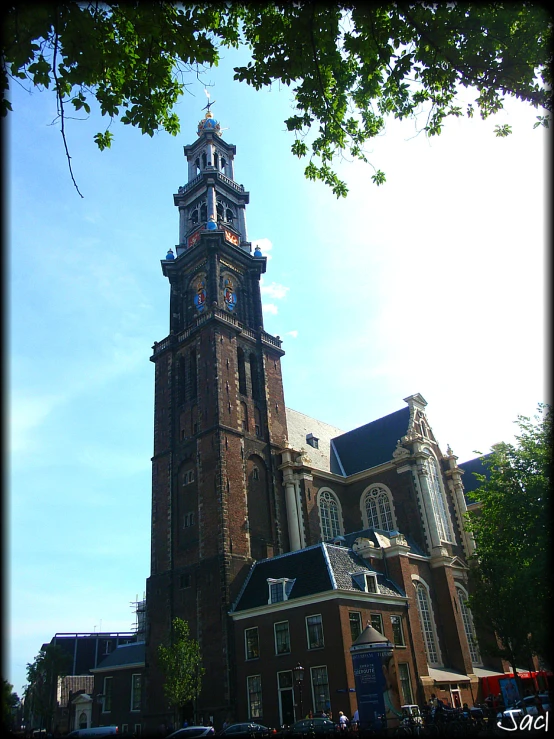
<point>510,574</point>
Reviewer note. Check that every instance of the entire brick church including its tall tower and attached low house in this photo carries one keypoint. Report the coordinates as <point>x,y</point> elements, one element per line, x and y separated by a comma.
<point>245,491</point>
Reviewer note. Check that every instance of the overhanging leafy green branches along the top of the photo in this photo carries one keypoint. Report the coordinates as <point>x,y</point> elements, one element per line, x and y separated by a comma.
<point>350,65</point>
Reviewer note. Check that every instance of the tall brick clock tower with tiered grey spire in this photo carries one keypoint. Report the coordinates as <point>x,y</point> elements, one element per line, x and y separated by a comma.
<point>217,503</point>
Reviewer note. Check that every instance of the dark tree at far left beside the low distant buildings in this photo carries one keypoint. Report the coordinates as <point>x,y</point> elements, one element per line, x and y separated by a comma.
<point>42,676</point>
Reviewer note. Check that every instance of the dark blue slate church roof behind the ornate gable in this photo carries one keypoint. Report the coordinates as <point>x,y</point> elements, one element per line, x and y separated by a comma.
<point>369,445</point>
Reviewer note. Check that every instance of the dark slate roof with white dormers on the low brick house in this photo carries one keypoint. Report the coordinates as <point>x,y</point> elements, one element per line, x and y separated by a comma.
<point>316,569</point>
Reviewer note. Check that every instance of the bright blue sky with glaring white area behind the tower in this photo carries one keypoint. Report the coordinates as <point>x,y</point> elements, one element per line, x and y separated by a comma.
<point>433,283</point>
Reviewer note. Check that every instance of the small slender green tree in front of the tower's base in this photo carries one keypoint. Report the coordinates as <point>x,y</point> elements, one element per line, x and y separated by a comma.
<point>181,665</point>
